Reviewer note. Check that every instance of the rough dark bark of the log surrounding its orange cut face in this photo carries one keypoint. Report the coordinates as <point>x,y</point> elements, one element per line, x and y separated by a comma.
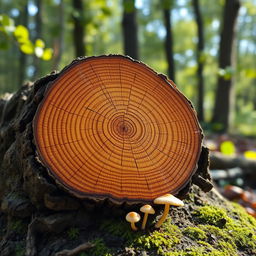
<point>36,213</point>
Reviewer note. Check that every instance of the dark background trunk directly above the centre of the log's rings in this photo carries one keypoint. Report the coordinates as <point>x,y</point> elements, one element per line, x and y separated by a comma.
<point>130,30</point>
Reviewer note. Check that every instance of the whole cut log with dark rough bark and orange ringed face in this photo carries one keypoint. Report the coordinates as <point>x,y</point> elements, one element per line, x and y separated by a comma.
<point>104,131</point>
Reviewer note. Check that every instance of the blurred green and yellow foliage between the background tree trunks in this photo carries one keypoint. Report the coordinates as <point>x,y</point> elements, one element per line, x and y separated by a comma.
<point>103,35</point>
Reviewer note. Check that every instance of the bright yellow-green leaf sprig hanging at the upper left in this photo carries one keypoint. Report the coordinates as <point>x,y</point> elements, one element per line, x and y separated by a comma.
<point>20,34</point>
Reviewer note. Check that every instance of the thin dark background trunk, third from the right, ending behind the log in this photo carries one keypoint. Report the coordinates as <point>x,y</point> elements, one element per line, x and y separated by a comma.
<point>169,40</point>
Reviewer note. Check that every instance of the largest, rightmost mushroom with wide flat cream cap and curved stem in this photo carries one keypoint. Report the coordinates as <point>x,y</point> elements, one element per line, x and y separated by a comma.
<point>167,200</point>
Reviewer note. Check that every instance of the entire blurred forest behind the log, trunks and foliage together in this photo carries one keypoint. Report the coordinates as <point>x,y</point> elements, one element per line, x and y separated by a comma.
<point>207,48</point>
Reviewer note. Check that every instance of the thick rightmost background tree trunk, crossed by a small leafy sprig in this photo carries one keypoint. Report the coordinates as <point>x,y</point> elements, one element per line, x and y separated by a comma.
<point>223,101</point>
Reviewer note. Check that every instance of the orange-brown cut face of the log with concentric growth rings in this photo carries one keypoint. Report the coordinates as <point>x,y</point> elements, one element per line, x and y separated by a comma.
<point>110,127</point>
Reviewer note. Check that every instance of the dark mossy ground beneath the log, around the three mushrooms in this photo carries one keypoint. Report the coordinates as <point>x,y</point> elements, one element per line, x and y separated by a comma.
<point>207,225</point>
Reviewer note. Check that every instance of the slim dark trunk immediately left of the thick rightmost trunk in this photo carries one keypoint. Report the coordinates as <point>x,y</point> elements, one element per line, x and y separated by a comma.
<point>200,61</point>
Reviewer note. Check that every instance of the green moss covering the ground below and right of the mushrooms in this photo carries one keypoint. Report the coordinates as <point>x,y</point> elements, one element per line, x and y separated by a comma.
<point>215,231</point>
